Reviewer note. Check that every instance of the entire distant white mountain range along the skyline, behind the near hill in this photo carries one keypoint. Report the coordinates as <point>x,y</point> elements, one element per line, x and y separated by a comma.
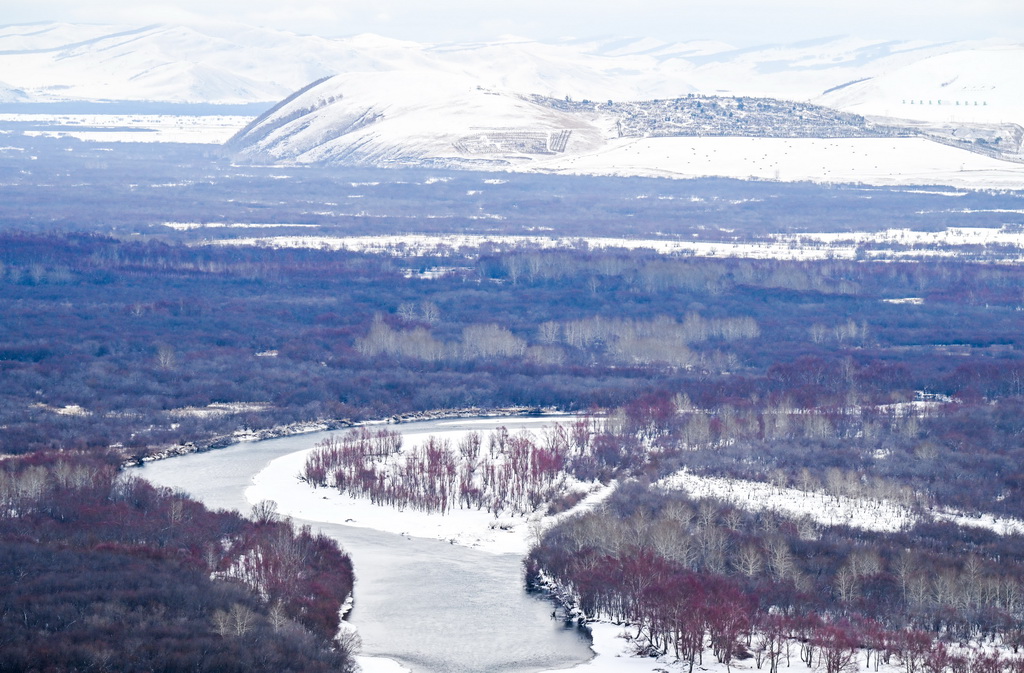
<point>231,64</point>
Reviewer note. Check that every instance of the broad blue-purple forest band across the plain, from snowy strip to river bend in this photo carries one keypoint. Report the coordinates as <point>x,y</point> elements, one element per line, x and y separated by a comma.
<point>145,345</point>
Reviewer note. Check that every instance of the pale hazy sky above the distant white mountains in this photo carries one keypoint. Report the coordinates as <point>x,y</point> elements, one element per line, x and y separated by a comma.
<point>742,23</point>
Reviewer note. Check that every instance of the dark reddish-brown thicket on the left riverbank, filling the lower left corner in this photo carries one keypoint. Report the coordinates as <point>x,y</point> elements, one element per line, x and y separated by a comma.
<point>103,572</point>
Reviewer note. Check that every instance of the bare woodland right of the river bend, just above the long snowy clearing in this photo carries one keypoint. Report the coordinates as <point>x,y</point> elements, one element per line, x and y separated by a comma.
<point>961,453</point>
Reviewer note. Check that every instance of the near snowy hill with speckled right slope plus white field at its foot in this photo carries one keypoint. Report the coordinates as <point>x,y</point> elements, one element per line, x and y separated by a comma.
<point>422,118</point>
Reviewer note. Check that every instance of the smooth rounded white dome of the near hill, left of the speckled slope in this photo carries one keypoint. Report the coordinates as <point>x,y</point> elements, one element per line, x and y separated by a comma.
<point>414,118</point>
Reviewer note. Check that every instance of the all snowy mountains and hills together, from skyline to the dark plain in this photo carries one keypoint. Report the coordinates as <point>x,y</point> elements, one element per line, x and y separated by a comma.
<point>836,109</point>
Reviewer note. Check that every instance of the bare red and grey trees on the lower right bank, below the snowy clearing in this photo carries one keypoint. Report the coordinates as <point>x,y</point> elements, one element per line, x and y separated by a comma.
<point>692,574</point>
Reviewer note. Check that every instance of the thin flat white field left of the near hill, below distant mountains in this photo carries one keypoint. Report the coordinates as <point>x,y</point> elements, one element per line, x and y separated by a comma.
<point>203,130</point>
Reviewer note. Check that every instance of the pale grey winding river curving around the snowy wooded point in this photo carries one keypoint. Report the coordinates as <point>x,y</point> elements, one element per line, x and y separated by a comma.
<point>428,605</point>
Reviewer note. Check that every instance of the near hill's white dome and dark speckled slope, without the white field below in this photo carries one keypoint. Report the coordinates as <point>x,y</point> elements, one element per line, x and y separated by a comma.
<point>426,117</point>
